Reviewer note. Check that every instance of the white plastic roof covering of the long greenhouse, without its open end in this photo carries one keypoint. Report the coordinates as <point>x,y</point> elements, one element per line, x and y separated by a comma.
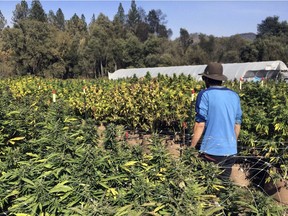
<point>232,71</point>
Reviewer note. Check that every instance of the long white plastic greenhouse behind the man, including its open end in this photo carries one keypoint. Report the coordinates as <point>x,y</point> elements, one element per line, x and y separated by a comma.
<point>249,71</point>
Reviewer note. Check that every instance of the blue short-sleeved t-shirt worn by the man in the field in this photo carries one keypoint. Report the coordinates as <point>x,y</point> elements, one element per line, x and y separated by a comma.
<point>220,109</point>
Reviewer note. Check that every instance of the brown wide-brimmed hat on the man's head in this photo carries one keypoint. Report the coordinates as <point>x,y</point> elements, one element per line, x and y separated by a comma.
<point>214,71</point>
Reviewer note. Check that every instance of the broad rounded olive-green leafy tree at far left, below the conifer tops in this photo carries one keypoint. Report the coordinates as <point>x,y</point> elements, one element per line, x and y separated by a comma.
<point>32,45</point>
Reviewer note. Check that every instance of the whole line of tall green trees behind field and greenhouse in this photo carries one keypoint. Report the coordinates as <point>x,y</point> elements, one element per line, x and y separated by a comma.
<point>48,45</point>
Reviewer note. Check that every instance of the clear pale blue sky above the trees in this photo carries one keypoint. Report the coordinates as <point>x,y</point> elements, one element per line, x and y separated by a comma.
<point>218,18</point>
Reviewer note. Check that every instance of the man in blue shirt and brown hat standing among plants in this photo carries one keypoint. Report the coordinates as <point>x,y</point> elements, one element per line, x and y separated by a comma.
<point>218,118</point>
